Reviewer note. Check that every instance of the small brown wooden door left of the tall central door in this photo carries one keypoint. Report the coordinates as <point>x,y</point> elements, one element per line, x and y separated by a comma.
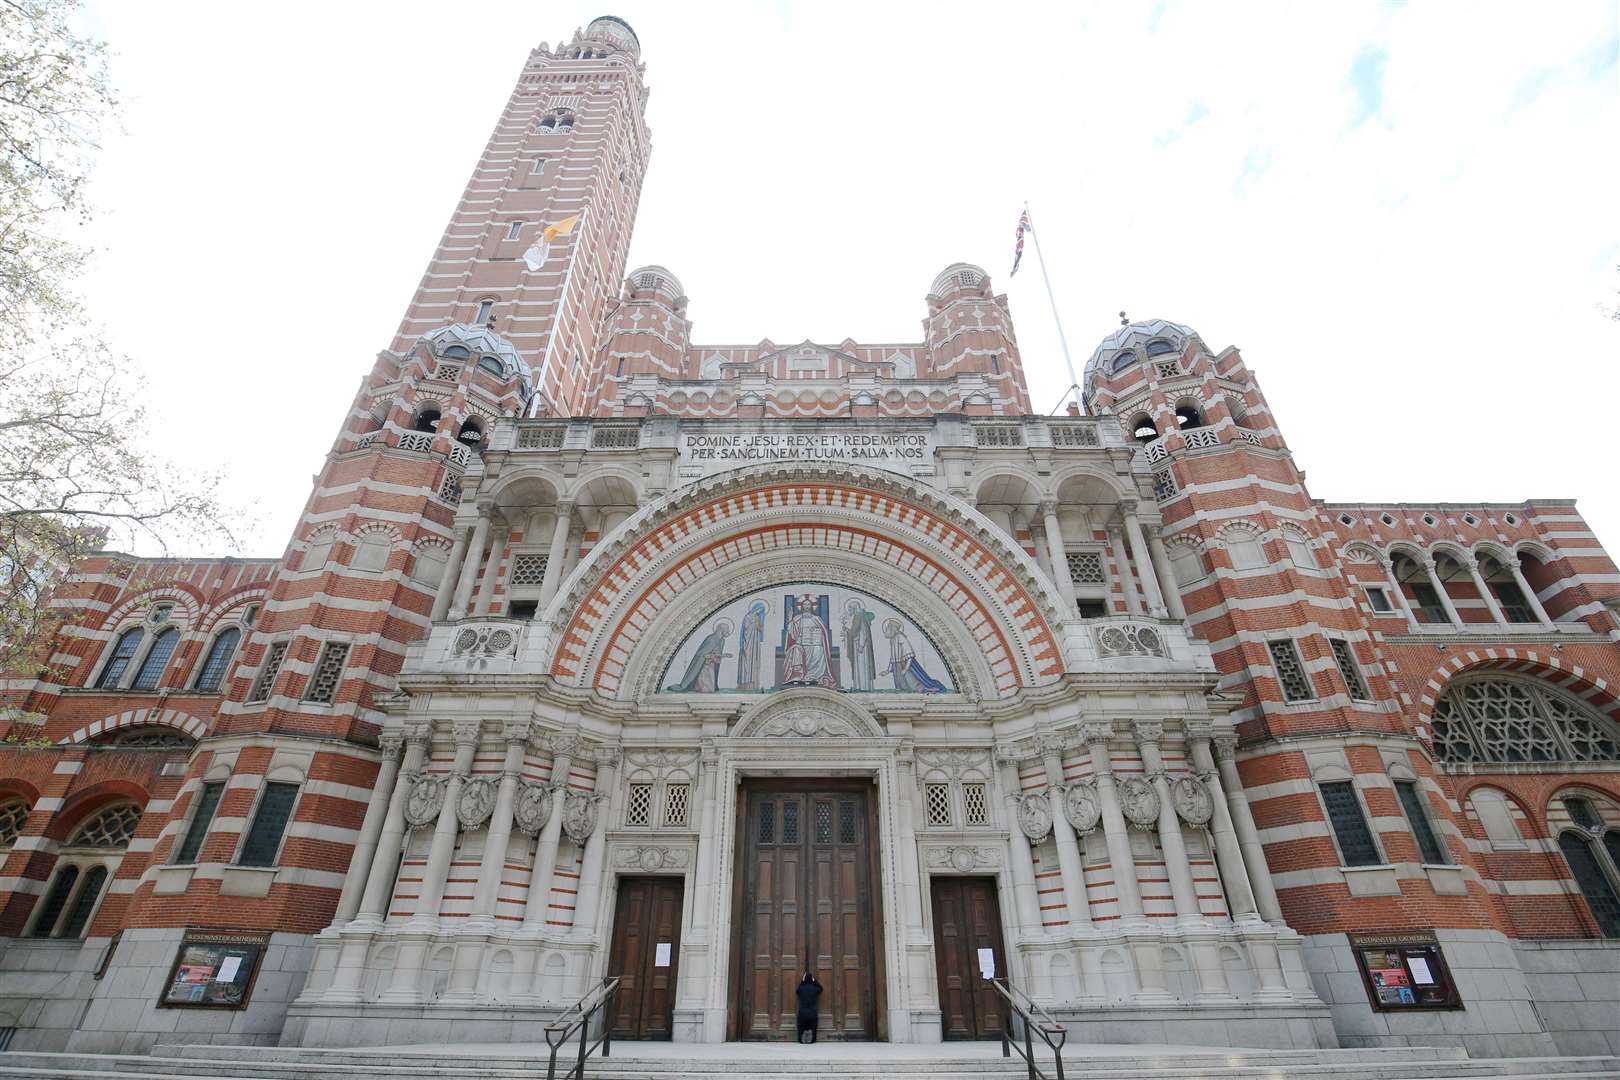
<point>646,955</point>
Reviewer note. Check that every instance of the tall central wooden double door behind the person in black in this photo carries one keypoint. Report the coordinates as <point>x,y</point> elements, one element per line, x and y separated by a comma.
<point>806,899</point>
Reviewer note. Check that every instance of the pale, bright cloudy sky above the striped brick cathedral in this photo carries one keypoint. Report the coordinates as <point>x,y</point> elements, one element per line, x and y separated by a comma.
<point>1402,215</point>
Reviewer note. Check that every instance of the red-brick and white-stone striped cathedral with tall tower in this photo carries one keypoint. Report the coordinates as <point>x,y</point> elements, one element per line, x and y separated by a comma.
<point>603,653</point>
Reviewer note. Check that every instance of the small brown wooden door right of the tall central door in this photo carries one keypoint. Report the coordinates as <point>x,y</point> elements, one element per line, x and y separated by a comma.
<point>966,919</point>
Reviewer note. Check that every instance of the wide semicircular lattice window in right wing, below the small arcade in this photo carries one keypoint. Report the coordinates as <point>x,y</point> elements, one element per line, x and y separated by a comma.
<point>1507,718</point>
